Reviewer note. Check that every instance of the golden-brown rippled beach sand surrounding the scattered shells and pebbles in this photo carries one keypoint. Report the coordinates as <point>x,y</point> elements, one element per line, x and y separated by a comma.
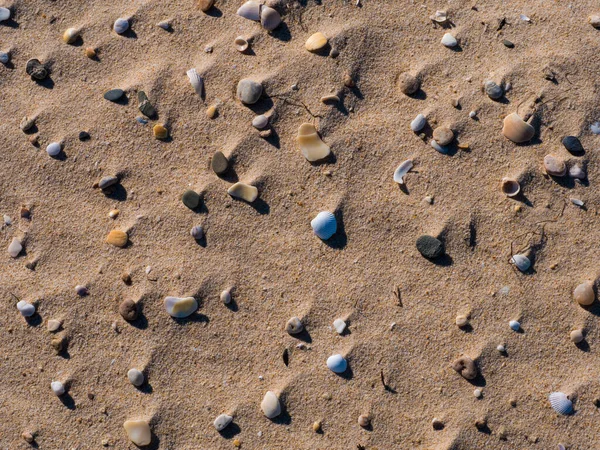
<point>211,363</point>
